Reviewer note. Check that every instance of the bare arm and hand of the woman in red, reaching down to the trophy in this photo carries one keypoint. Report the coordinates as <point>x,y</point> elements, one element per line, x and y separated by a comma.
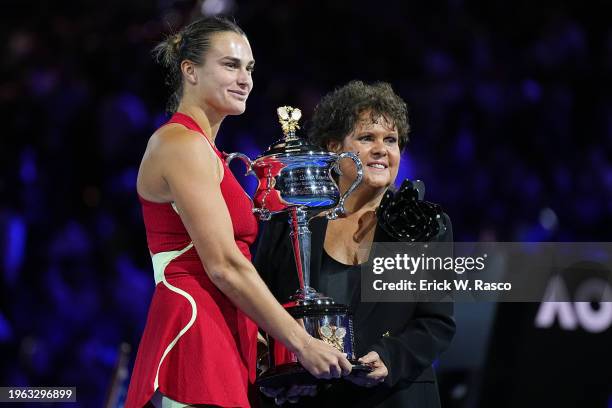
<point>189,167</point>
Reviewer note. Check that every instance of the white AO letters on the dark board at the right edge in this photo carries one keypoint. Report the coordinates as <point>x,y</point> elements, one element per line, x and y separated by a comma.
<point>572,315</point>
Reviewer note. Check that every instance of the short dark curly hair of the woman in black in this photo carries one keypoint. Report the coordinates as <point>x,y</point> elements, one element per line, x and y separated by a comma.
<point>338,112</point>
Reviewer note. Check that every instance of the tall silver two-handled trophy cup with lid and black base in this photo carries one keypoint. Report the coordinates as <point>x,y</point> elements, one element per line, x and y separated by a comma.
<point>295,177</point>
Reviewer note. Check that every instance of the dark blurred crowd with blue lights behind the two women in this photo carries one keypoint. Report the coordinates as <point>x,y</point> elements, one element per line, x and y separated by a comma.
<point>510,109</point>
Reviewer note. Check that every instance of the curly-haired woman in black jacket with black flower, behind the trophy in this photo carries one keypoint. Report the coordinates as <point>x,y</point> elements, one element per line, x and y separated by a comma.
<point>399,341</point>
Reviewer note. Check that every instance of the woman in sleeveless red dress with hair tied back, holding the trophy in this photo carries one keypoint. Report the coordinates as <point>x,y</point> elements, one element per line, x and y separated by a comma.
<point>199,343</point>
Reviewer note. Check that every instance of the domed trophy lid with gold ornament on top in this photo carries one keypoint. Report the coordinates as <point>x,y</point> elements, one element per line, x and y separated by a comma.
<point>291,144</point>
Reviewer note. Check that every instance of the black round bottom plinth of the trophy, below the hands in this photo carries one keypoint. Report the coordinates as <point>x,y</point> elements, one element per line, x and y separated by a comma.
<point>294,374</point>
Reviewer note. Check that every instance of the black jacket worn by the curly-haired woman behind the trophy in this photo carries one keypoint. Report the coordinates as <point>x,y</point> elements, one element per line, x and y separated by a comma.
<point>407,336</point>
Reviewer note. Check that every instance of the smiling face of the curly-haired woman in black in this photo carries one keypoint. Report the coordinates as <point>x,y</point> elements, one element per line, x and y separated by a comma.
<point>376,142</point>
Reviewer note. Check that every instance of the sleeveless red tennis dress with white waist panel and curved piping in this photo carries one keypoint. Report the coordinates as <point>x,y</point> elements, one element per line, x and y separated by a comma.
<point>197,347</point>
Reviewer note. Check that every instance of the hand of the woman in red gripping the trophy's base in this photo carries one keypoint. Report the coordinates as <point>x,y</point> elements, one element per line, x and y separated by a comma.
<point>322,360</point>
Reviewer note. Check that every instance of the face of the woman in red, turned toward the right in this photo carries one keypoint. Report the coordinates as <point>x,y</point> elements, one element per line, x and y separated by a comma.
<point>224,81</point>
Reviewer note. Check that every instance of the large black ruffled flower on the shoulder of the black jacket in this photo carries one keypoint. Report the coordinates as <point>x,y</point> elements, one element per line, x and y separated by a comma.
<point>407,218</point>
